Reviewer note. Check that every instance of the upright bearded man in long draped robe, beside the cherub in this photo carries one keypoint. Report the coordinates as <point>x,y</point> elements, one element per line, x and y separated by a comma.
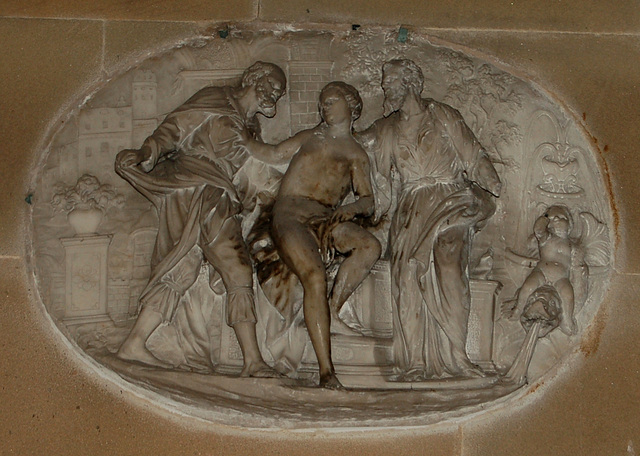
<point>447,185</point>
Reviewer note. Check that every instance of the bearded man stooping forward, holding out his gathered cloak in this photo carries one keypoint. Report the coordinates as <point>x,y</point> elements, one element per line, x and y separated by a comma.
<point>186,168</point>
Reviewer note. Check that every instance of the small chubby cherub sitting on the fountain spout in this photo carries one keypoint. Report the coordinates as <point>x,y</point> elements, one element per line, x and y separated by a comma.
<point>552,231</point>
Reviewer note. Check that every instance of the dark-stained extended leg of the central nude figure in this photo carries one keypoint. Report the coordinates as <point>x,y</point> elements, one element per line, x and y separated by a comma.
<point>300,251</point>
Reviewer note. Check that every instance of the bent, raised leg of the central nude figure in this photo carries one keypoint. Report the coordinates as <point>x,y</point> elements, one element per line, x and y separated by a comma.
<point>362,250</point>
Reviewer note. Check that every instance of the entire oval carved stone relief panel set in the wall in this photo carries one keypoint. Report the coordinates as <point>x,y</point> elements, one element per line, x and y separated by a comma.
<point>321,229</point>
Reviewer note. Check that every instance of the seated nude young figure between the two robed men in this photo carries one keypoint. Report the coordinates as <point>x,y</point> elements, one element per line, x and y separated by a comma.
<point>309,220</point>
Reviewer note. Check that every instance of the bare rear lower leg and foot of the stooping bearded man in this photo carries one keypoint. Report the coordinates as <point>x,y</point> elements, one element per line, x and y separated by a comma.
<point>133,348</point>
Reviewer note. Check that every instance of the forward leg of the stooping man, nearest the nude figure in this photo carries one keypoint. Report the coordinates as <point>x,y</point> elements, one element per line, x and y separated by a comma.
<point>228,255</point>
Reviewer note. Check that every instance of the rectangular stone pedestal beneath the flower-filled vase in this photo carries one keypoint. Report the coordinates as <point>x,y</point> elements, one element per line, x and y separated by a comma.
<point>86,279</point>
